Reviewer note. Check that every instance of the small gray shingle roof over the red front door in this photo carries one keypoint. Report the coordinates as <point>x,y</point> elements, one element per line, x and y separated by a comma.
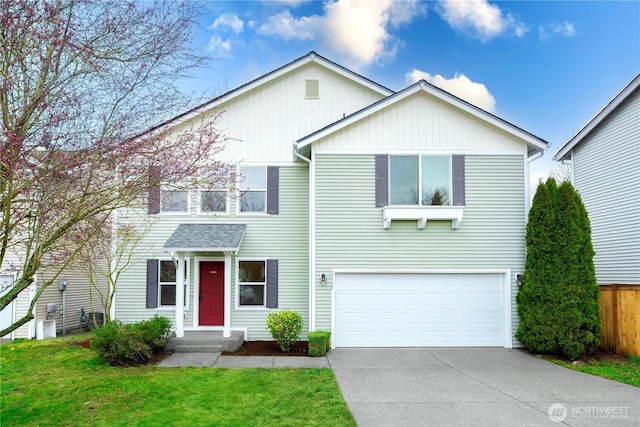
<point>206,237</point>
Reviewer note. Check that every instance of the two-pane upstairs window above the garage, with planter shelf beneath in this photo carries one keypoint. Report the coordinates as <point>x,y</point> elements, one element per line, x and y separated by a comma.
<point>420,180</point>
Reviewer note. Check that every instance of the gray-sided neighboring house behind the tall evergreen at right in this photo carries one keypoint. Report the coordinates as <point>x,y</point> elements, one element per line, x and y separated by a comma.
<point>605,160</point>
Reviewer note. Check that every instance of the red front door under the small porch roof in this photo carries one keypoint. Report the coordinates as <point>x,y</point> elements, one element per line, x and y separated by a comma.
<point>211,293</point>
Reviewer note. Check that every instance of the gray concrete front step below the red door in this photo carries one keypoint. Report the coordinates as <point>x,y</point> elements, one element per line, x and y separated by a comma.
<point>205,342</point>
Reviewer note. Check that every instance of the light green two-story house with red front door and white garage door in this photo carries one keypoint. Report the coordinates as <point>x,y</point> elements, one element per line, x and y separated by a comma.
<point>388,218</point>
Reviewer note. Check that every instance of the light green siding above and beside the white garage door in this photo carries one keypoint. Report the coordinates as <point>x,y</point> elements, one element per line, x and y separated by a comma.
<point>349,233</point>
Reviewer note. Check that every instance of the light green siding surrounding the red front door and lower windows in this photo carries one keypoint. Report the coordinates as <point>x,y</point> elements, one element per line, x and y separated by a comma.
<point>284,236</point>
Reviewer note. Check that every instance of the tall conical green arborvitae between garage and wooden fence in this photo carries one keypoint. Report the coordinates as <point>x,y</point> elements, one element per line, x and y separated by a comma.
<point>558,303</point>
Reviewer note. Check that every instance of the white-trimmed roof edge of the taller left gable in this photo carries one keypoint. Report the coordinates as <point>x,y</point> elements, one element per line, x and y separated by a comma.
<point>266,78</point>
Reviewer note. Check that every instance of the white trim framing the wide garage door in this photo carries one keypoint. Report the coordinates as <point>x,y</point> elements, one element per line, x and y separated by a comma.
<point>506,288</point>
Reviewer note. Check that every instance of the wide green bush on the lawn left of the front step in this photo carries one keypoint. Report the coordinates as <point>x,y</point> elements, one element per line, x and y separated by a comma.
<point>131,344</point>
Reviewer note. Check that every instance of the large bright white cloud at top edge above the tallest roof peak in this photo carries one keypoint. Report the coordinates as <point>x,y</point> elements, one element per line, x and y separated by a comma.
<point>357,30</point>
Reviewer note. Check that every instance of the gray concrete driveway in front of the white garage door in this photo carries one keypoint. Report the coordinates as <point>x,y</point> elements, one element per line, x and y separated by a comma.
<point>475,387</point>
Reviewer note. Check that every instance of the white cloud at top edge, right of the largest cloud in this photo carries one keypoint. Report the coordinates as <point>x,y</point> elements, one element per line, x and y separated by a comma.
<point>479,19</point>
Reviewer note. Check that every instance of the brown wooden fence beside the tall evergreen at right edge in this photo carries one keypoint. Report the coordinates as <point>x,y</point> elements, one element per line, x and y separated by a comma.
<point>620,314</point>
